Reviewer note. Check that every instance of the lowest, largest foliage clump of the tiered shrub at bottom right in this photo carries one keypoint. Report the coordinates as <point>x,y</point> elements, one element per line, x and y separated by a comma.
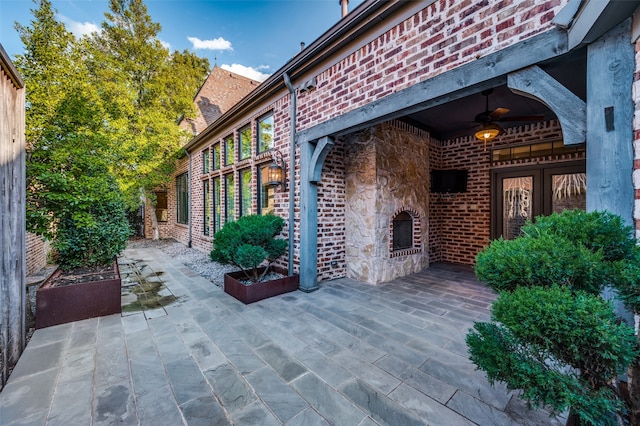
<point>562,348</point>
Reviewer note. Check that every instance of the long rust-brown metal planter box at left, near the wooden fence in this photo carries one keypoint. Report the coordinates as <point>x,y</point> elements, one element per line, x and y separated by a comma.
<point>62,304</point>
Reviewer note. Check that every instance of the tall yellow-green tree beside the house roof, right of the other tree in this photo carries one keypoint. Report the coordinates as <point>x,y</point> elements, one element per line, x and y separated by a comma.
<point>147,90</point>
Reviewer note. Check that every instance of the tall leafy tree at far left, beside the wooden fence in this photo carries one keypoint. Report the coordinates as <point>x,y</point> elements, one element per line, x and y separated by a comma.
<point>69,151</point>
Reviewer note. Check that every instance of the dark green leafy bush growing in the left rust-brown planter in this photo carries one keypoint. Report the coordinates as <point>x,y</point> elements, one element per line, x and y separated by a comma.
<point>96,241</point>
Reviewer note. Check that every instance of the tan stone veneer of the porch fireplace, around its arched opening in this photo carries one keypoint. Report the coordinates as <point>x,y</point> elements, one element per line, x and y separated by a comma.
<point>387,171</point>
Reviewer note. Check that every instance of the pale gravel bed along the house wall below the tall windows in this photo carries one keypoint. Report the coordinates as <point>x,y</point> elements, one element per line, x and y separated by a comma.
<point>193,258</point>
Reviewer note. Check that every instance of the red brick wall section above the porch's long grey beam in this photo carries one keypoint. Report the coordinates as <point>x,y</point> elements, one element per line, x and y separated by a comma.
<point>441,37</point>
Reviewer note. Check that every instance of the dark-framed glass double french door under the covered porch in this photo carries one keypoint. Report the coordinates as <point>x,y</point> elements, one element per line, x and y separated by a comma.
<point>522,194</point>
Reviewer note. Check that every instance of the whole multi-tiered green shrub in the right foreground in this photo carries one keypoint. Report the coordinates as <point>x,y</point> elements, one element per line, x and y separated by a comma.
<point>553,336</point>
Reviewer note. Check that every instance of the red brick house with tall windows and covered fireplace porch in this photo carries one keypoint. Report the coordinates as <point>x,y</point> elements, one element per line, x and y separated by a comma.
<point>423,130</point>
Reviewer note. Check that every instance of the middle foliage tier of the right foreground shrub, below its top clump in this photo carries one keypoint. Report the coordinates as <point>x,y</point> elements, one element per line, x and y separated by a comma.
<point>544,260</point>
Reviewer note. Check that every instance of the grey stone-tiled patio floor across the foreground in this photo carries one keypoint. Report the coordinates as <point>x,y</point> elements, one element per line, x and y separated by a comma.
<point>347,354</point>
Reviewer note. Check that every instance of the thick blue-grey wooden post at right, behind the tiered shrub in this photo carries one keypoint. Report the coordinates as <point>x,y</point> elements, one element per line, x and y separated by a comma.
<point>610,109</point>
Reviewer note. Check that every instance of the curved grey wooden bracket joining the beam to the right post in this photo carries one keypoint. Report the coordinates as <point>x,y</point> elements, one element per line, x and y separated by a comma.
<point>571,111</point>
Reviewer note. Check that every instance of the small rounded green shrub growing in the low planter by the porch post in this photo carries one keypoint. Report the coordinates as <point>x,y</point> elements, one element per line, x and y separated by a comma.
<point>248,242</point>
